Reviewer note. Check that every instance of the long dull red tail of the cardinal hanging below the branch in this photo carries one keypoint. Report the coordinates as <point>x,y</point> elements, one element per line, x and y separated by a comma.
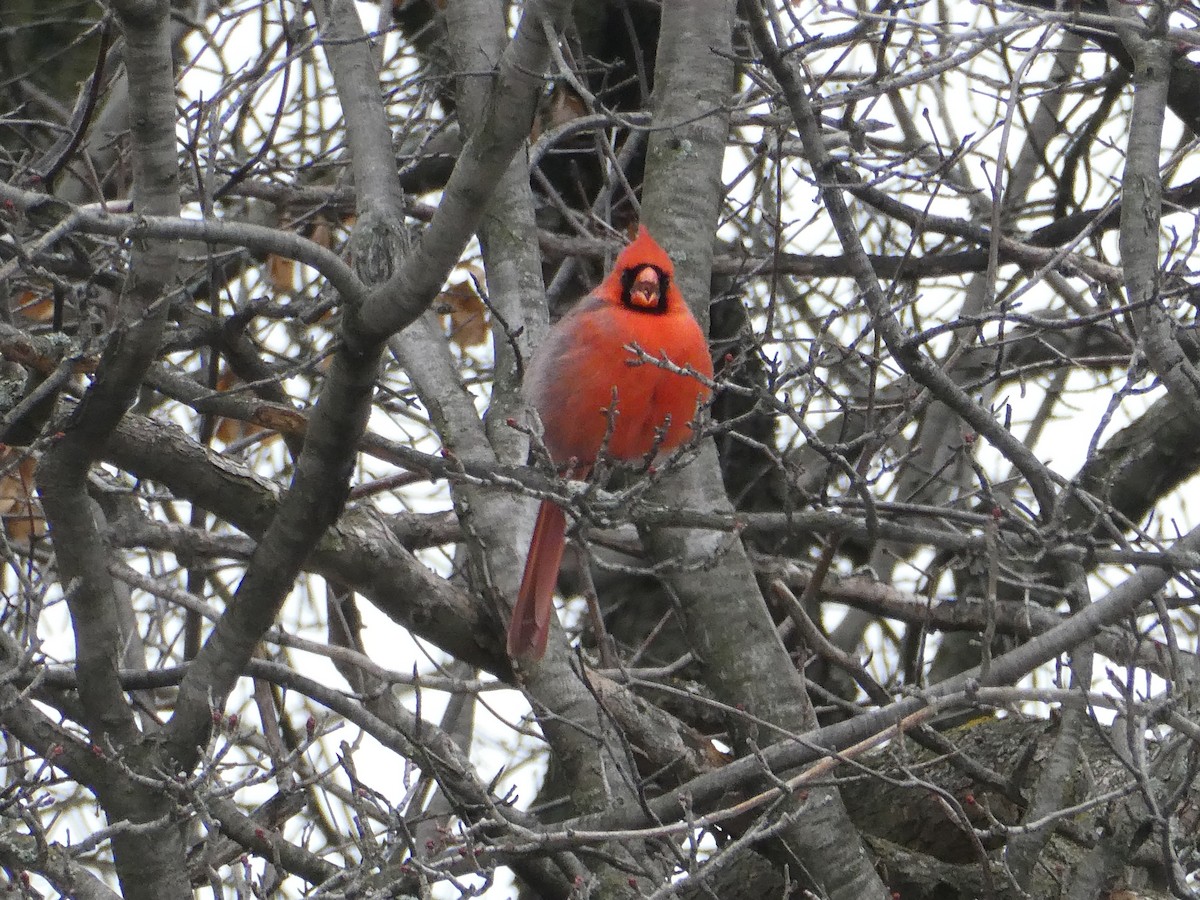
<point>531,616</point>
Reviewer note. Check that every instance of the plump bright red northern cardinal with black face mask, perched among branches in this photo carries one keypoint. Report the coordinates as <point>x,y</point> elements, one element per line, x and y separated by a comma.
<point>592,394</point>
